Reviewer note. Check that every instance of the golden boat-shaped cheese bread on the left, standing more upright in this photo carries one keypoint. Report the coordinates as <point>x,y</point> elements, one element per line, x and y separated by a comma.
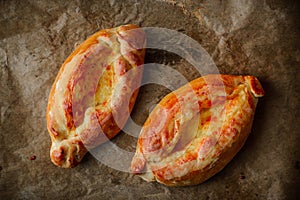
<point>94,92</point>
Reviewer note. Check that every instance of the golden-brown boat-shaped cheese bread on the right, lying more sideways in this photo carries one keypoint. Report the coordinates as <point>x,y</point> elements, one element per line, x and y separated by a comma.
<point>196,130</point>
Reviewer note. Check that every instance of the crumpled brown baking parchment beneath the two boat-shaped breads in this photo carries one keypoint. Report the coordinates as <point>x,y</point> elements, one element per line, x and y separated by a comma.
<point>259,38</point>
